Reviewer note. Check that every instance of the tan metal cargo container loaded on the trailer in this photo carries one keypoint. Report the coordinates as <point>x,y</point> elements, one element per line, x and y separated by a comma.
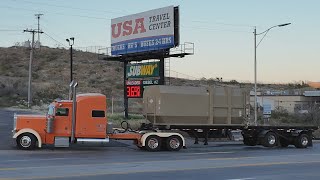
<point>183,105</point>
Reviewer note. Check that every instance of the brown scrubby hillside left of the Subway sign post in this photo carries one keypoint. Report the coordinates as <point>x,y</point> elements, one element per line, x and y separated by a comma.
<point>51,75</point>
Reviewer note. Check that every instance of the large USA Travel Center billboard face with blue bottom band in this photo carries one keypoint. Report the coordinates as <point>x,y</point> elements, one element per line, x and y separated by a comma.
<point>146,31</point>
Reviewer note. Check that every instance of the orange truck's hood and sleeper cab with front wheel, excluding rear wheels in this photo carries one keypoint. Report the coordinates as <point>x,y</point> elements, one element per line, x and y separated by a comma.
<point>57,126</point>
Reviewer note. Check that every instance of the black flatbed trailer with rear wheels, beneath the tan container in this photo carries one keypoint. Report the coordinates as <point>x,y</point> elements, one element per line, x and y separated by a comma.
<point>266,135</point>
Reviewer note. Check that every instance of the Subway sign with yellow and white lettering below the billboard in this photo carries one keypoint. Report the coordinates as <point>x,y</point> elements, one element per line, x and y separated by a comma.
<point>143,70</point>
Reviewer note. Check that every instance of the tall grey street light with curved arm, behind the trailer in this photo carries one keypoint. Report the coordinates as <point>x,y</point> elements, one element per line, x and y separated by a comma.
<point>255,63</point>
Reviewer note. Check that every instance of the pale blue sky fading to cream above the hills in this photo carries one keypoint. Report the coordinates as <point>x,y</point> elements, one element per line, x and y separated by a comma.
<point>222,33</point>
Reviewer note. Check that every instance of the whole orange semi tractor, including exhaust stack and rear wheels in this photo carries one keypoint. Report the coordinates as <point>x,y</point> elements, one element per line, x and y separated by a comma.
<point>82,120</point>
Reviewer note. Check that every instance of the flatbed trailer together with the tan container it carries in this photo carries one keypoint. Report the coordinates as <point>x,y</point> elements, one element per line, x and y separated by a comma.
<point>211,112</point>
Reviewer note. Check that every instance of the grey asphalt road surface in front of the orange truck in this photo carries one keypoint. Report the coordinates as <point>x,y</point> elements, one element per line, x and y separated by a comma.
<point>121,160</point>
